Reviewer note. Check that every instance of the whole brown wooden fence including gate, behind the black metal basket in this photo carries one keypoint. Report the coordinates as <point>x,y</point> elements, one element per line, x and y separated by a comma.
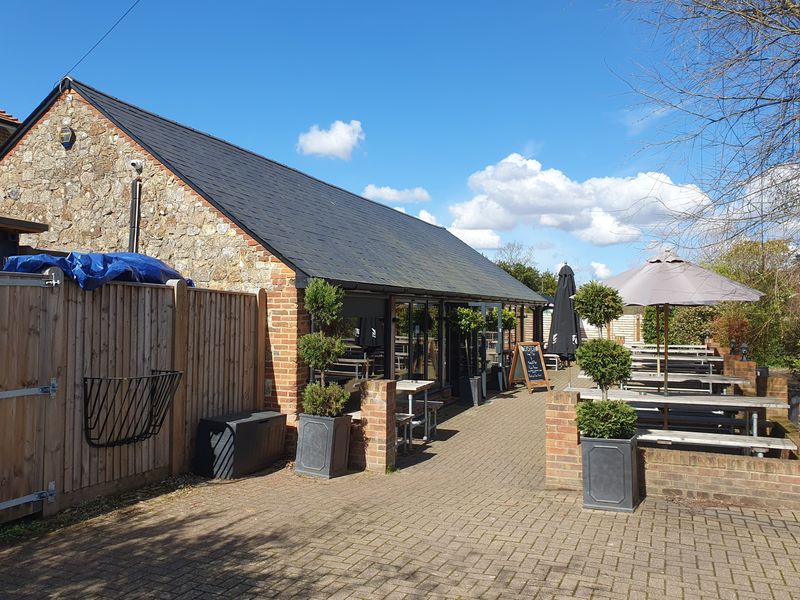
<point>61,332</point>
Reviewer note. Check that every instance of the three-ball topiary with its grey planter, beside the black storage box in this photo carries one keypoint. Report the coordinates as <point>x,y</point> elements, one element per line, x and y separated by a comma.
<point>323,439</point>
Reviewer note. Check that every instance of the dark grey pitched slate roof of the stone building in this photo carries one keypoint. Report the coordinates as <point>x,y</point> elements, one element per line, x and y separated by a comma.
<point>317,228</point>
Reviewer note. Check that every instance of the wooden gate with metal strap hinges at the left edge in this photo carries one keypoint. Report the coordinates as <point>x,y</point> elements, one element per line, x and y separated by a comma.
<point>28,305</point>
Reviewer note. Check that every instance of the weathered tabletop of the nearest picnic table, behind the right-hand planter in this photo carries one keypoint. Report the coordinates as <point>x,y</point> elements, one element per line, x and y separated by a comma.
<point>749,404</point>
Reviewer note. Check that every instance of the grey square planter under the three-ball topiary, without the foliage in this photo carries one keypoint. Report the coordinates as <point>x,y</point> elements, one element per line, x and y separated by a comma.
<point>323,446</point>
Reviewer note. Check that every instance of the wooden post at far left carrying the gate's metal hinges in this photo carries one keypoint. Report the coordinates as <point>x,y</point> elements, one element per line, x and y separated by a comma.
<point>53,363</point>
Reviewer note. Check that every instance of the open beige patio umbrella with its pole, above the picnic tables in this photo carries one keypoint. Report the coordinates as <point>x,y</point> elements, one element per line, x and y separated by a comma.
<point>667,279</point>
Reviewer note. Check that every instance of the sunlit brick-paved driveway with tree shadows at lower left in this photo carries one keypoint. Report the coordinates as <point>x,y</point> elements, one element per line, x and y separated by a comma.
<point>468,519</point>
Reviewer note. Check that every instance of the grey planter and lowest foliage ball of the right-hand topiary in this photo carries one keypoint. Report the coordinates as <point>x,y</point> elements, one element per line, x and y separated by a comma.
<point>608,451</point>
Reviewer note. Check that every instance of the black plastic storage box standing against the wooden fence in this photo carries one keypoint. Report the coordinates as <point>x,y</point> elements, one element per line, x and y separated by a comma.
<point>232,446</point>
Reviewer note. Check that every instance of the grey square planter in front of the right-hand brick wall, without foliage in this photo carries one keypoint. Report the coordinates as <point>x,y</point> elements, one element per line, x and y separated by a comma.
<point>610,474</point>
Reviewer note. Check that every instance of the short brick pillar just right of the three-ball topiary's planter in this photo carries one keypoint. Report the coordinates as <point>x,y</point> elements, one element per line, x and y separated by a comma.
<point>378,408</point>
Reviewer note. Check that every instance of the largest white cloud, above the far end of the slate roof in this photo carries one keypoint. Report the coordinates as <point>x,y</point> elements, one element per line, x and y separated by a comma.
<point>600,210</point>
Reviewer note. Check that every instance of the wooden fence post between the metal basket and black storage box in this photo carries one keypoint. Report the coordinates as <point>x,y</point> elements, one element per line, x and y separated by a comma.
<point>180,349</point>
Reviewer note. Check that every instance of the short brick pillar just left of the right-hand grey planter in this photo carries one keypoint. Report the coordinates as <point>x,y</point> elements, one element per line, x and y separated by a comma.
<point>563,469</point>
